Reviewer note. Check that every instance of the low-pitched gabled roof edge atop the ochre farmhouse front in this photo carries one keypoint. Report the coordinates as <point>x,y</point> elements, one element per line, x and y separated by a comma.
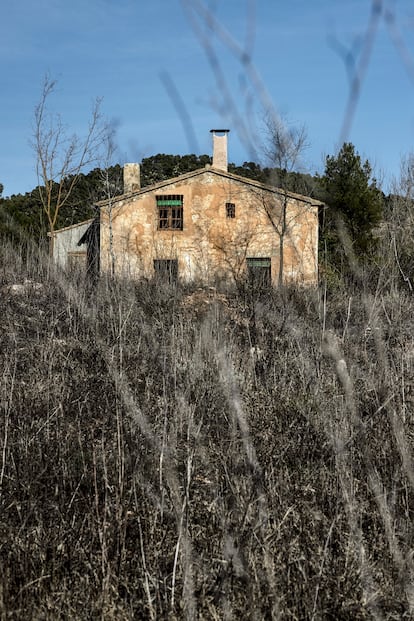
<point>215,171</point>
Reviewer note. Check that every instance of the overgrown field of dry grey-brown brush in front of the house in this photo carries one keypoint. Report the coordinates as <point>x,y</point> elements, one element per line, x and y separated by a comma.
<point>178,453</point>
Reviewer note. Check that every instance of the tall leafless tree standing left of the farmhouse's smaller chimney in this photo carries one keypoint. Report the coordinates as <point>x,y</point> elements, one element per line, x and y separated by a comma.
<point>61,156</point>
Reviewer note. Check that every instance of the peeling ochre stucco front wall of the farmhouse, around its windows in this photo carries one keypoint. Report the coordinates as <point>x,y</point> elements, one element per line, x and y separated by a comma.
<point>211,245</point>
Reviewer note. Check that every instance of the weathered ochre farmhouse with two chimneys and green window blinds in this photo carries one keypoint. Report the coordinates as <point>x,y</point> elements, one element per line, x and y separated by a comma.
<point>207,225</point>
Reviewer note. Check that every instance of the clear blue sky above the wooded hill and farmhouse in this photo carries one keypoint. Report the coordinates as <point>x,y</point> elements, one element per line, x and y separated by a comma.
<point>170,70</point>
